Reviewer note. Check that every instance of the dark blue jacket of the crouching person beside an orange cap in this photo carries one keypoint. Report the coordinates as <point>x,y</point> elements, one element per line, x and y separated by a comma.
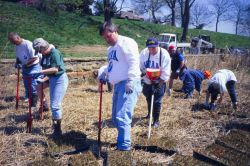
<point>191,79</point>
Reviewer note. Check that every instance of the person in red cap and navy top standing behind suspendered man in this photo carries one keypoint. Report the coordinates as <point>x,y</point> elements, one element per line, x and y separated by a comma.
<point>177,66</point>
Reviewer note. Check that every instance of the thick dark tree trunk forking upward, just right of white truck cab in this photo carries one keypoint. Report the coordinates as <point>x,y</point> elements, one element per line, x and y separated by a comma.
<point>185,6</point>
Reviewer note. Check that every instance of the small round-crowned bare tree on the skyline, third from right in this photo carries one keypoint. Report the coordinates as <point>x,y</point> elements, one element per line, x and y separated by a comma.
<point>200,16</point>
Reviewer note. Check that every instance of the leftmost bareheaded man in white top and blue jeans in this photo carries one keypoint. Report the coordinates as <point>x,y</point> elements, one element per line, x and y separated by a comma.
<point>28,62</point>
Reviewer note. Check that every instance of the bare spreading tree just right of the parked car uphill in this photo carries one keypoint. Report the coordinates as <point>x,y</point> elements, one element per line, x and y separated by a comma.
<point>149,6</point>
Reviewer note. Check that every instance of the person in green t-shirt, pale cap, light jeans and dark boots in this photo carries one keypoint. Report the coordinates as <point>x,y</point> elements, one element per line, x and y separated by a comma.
<point>54,69</point>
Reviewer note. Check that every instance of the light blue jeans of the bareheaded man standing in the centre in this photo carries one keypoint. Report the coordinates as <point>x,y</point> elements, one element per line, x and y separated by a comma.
<point>122,112</point>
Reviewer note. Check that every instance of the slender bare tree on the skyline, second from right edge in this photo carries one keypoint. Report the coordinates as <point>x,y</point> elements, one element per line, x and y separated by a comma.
<point>221,9</point>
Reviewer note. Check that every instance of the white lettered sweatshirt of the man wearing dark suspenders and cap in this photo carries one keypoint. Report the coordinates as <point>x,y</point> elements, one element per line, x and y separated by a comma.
<point>154,62</point>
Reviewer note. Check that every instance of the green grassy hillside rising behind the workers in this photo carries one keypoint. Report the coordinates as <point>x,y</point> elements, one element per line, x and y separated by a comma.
<point>64,29</point>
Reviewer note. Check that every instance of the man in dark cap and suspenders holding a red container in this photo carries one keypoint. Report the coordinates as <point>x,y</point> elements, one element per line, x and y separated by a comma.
<point>154,57</point>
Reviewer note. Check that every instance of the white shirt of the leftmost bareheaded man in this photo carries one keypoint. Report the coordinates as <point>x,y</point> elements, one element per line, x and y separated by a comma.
<point>25,51</point>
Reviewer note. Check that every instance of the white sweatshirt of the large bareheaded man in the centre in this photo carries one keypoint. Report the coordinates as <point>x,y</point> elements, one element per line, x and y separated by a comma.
<point>123,60</point>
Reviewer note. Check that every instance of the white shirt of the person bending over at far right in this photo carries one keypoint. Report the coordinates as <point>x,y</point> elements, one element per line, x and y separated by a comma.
<point>222,77</point>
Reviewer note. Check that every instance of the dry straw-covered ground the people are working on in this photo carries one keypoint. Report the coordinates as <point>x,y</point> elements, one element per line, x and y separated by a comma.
<point>184,126</point>
